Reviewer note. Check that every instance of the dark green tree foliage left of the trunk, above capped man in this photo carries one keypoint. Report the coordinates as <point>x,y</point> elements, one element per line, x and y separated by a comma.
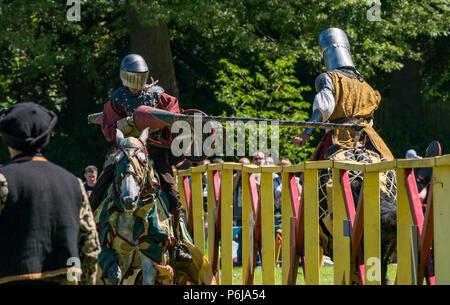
<point>67,66</point>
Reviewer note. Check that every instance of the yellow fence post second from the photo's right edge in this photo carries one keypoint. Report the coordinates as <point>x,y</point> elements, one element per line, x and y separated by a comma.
<point>404,223</point>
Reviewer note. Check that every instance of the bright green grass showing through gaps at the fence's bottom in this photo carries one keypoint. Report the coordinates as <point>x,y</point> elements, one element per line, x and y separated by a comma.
<point>326,275</point>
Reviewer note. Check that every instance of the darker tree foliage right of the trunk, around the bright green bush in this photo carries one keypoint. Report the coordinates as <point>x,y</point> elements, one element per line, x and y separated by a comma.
<point>241,30</point>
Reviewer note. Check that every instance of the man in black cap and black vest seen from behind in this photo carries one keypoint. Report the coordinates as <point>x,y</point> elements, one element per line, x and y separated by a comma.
<point>47,229</point>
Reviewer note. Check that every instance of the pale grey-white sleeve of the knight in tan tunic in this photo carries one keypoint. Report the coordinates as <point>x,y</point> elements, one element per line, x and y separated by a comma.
<point>324,99</point>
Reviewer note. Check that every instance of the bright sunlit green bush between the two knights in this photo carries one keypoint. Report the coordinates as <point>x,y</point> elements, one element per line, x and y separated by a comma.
<point>272,92</point>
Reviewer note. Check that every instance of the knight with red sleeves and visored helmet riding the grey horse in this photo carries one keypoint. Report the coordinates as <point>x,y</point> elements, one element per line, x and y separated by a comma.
<point>118,113</point>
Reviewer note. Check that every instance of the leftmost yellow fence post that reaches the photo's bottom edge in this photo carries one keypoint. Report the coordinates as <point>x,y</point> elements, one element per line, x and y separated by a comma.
<point>226,226</point>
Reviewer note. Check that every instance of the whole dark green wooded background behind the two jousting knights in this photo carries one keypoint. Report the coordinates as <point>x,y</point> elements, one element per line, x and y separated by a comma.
<point>238,58</point>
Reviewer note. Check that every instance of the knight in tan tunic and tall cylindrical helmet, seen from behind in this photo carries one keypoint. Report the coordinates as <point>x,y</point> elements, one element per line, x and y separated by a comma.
<point>344,97</point>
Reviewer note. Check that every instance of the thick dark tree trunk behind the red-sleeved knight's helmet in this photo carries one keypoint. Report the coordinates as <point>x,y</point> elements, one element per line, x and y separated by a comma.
<point>152,42</point>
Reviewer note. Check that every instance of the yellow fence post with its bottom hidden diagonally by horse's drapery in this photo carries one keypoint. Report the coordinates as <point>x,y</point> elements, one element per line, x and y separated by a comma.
<point>197,208</point>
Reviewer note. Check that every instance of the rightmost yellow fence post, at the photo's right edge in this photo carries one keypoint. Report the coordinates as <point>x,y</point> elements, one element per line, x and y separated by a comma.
<point>441,191</point>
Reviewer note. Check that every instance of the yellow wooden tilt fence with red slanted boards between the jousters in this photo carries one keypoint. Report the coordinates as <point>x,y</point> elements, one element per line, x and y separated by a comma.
<point>423,239</point>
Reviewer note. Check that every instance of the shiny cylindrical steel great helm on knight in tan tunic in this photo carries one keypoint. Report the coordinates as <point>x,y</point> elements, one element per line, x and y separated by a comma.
<point>335,49</point>
